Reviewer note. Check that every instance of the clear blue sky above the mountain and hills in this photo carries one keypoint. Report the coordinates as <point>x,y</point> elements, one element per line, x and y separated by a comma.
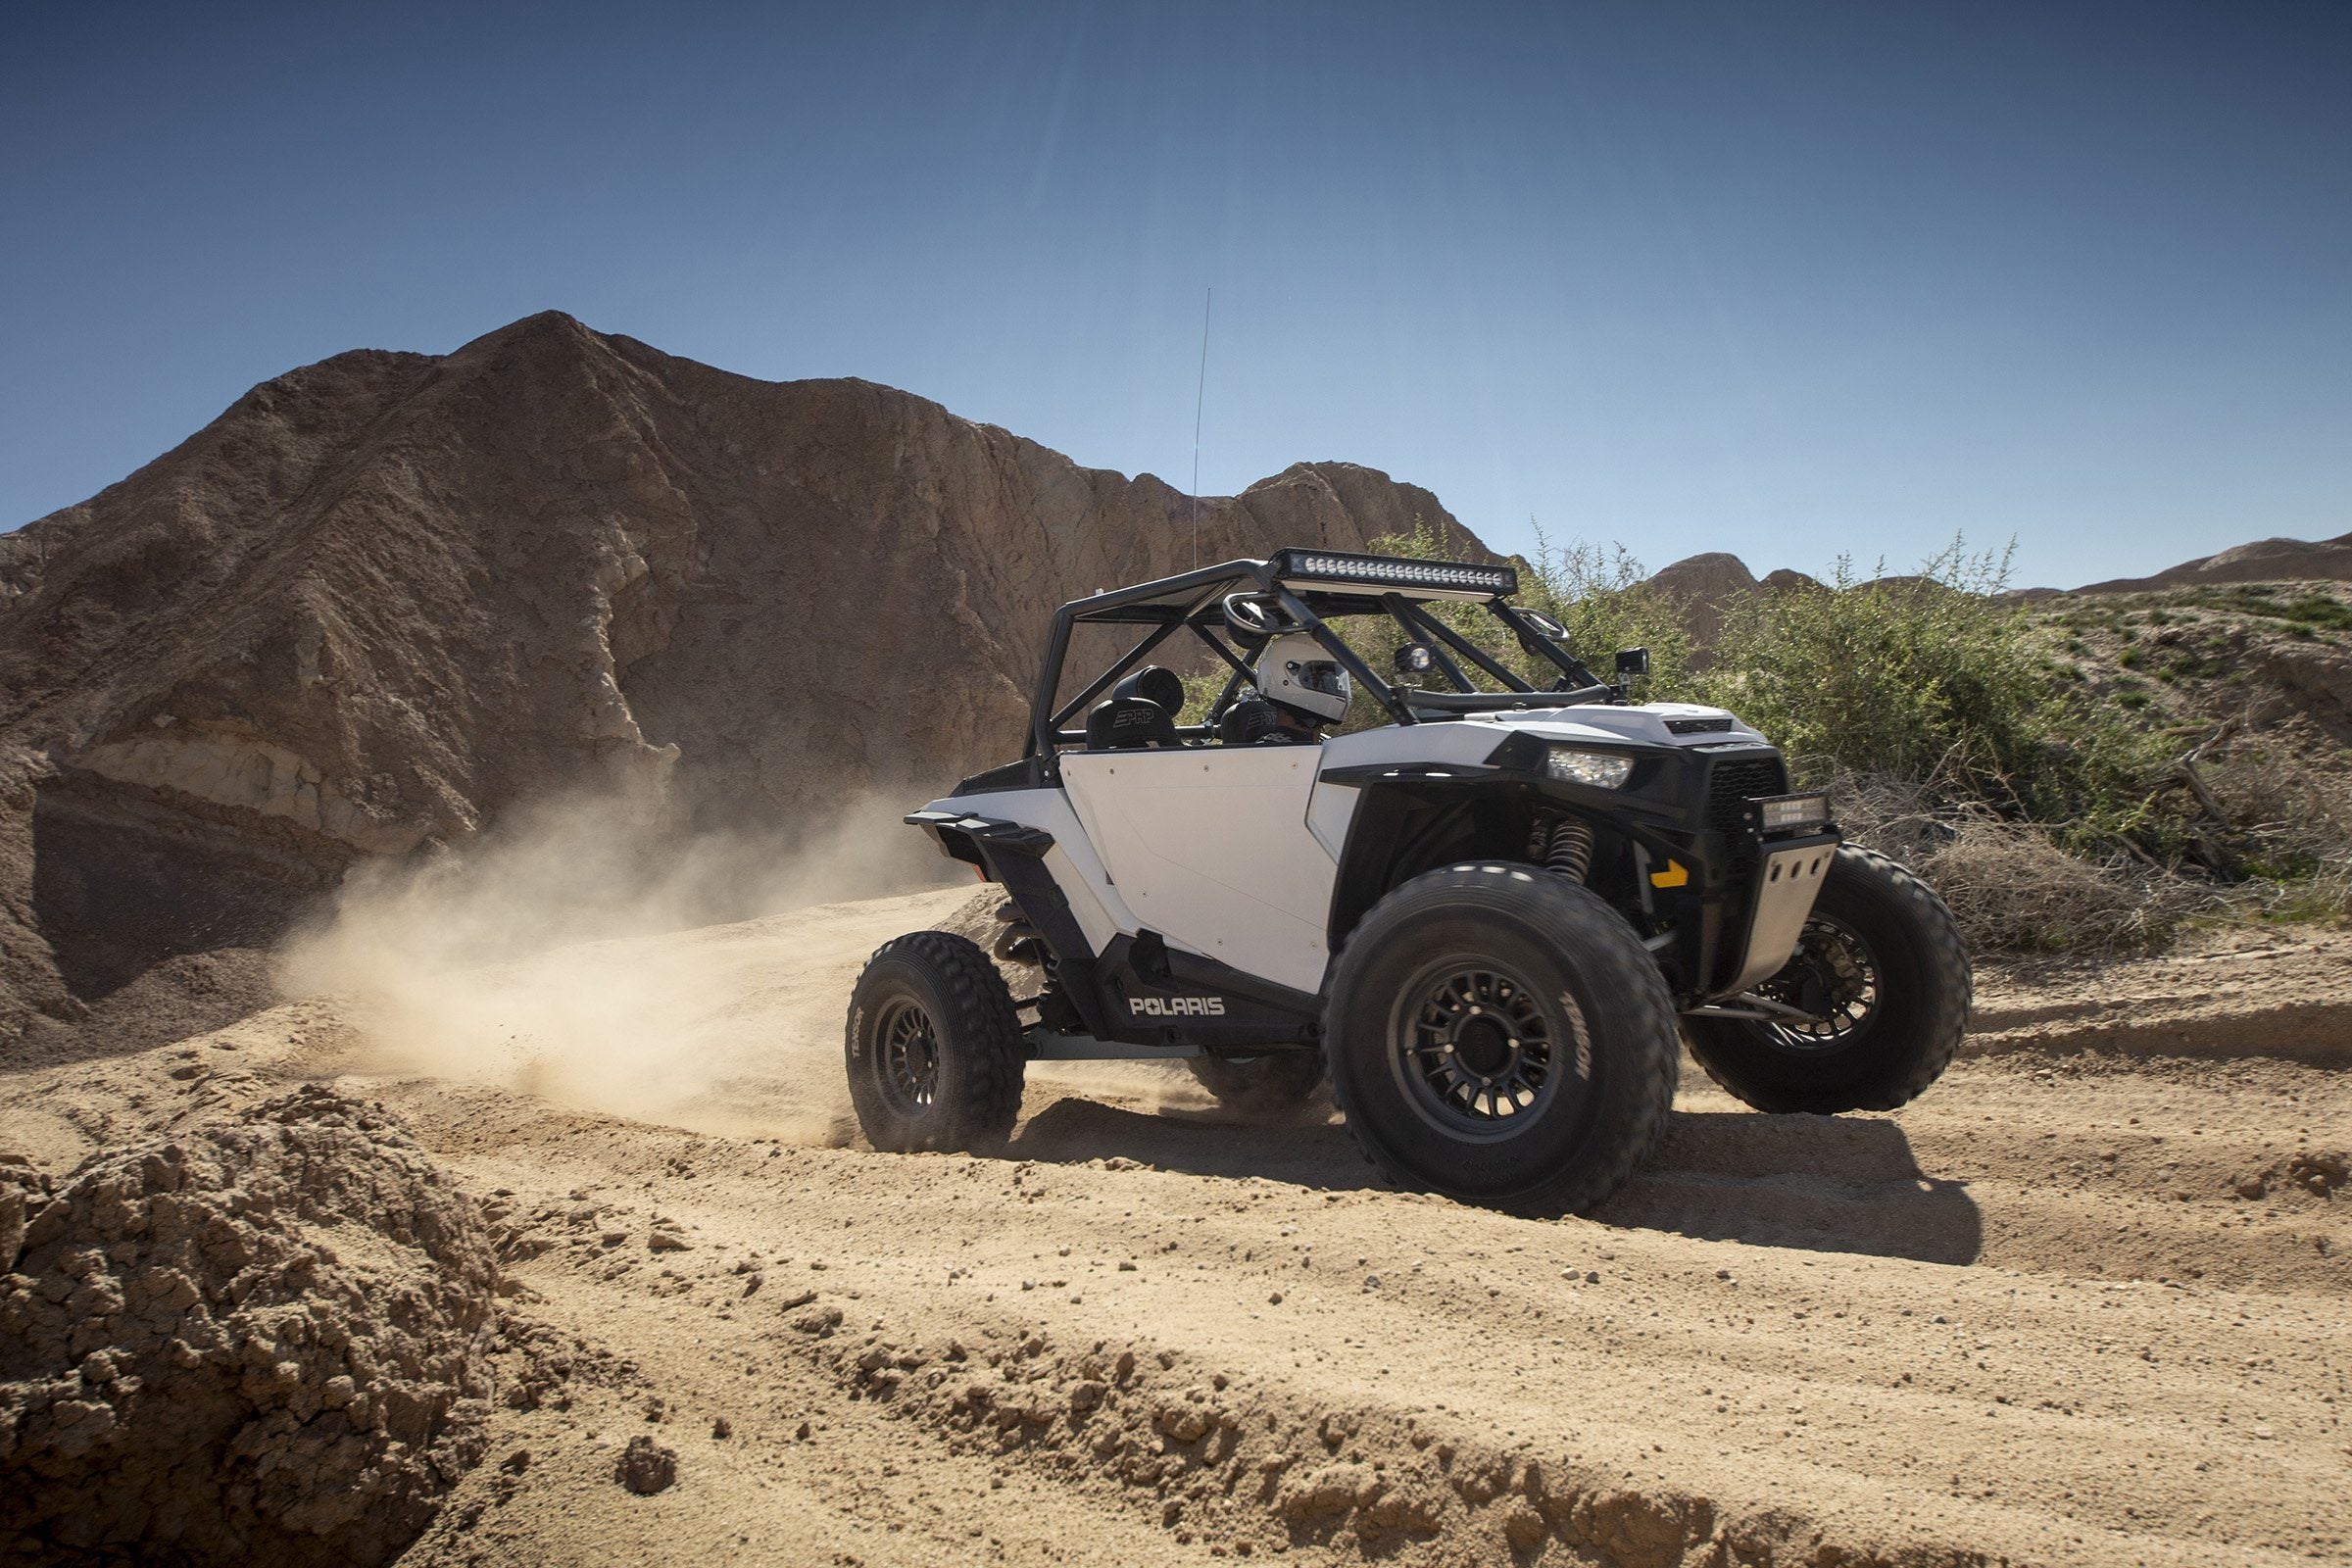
<point>1763,279</point>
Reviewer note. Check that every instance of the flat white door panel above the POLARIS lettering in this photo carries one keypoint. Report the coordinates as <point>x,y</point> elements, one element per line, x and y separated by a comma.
<point>1210,847</point>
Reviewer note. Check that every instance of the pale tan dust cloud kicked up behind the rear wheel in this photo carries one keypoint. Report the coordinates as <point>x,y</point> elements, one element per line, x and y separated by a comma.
<point>599,956</point>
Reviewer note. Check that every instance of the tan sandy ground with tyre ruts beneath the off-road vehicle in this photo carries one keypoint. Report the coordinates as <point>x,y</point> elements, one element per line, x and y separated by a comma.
<point>2083,1304</point>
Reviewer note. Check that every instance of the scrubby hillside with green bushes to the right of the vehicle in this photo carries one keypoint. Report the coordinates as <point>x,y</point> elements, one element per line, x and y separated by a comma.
<point>2073,772</point>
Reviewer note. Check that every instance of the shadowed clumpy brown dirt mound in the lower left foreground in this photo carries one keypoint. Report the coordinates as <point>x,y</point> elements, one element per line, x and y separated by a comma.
<point>260,1341</point>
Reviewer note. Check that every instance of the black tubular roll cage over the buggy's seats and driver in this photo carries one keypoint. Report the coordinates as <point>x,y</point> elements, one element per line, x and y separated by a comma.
<point>1196,603</point>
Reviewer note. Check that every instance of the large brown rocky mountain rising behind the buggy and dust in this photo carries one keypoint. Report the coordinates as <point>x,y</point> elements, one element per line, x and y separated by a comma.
<point>389,596</point>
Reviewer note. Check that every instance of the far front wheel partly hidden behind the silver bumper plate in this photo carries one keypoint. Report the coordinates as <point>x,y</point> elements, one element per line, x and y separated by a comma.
<point>1885,956</point>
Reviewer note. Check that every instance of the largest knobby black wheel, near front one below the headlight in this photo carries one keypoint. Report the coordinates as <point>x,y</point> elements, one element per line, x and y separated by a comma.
<point>1563,1033</point>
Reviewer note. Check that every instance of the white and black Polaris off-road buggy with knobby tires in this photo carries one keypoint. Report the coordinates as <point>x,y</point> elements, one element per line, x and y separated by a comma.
<point>1490,920</point>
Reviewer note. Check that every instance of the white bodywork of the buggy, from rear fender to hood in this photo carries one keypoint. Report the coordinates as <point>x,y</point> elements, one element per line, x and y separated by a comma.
<point>1231,852</point>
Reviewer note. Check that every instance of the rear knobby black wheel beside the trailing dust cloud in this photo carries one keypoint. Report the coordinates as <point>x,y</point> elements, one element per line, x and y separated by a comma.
<point>935,1047</point>
